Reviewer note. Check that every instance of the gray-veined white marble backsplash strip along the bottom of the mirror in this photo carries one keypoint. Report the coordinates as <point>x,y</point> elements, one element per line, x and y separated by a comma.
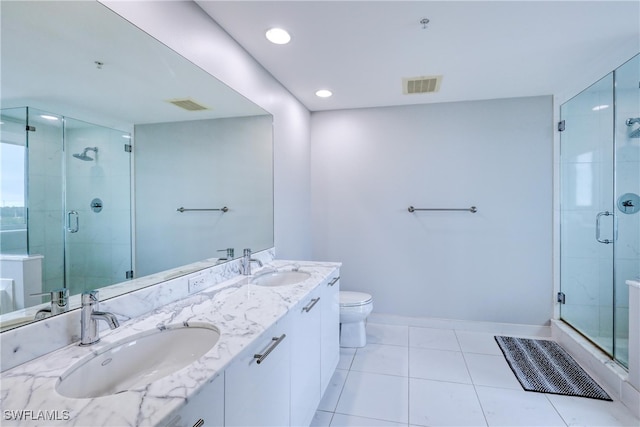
<point>28,342</point>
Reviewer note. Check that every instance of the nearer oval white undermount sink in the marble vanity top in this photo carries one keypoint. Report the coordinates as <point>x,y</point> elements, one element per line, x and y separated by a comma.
<point>137,361</point>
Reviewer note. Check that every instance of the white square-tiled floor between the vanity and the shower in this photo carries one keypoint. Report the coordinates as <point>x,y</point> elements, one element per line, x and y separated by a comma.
<point>410,376</point>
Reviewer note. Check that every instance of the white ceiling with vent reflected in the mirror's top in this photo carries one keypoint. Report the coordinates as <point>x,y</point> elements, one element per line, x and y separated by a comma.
<point>48,59</point>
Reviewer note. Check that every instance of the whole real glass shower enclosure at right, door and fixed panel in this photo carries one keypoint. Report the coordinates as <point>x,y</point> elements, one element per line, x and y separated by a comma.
<point>600,207</point>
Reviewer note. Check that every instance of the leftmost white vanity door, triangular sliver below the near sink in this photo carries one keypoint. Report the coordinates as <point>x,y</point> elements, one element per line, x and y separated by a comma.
<point>205,409</point>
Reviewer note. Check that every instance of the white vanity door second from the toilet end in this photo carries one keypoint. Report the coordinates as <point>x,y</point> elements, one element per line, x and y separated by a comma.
<point>305,358</point>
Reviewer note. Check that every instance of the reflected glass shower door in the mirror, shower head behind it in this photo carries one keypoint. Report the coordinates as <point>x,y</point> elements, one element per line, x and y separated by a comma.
<point>97,206</point>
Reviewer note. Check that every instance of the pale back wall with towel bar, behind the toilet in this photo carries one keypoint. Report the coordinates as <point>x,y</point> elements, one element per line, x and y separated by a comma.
<point>369,165</point>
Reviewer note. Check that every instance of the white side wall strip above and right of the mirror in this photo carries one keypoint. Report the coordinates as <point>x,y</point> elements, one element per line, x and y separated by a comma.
<point>185,28</point>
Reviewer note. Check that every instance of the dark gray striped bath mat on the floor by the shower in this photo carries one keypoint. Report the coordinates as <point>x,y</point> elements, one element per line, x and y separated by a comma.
<point>543,366</point>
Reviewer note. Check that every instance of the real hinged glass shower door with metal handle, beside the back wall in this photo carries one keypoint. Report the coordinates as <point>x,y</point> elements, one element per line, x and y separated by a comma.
<point>586,220</point>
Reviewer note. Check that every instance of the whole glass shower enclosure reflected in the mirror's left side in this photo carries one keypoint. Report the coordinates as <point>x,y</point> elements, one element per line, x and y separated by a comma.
<point>66,197</point>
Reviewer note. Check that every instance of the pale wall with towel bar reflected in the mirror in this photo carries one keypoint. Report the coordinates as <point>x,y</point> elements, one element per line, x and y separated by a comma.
<point>202,164</point>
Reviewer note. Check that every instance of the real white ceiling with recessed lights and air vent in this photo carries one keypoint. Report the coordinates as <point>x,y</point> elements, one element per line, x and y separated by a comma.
<point>361,50</point>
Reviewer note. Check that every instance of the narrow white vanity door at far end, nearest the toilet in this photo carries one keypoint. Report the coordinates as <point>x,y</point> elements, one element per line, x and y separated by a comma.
<point>330,329</point>
